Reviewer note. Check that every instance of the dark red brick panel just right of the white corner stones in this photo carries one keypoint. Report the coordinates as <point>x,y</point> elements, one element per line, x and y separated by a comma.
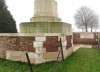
<point>51,44</point>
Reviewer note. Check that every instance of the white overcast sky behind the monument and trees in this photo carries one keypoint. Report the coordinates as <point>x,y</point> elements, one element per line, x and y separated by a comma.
<point>23,10</point>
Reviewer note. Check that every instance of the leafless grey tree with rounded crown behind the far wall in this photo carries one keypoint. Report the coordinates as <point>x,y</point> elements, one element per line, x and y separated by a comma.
<point>86,18</point>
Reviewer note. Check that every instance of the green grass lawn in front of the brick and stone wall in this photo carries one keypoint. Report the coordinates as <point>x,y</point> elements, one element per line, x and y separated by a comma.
<point>83,60</point>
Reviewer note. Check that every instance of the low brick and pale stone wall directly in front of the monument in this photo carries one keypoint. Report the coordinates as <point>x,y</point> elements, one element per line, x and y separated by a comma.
<point>44,47</point>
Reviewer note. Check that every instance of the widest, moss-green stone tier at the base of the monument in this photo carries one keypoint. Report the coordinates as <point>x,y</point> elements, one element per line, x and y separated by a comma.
<point>45,27</point>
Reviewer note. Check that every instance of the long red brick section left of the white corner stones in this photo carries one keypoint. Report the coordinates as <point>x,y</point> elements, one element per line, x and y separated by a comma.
<point>17,43</point>
